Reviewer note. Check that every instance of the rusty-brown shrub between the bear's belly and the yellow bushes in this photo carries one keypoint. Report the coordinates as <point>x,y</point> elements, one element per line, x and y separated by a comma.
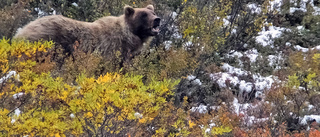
<point>79,62</point>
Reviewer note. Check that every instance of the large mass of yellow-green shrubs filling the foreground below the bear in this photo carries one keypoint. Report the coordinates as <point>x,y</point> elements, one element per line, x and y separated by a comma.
<point>36,103</point>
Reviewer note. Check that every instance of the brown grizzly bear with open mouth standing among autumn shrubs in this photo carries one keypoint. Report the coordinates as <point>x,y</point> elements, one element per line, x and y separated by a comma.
<point>105,36</point>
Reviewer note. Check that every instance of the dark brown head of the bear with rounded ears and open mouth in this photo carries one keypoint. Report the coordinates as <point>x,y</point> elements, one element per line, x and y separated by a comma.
<point>143,22</point>
